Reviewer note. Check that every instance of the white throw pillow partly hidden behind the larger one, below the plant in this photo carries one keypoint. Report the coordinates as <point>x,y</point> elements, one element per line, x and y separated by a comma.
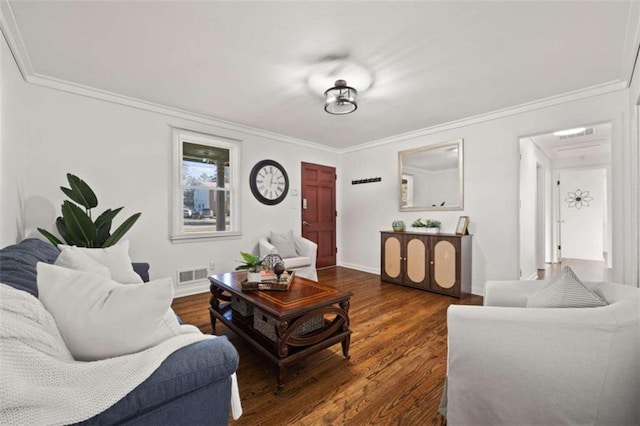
<point>116,258</point>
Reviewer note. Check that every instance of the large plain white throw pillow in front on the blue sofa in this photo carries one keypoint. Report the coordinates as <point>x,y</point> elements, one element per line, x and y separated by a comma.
<point>99,318</point>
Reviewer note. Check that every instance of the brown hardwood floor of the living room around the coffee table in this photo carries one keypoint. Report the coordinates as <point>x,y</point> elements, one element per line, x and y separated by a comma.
<point>395,374</point>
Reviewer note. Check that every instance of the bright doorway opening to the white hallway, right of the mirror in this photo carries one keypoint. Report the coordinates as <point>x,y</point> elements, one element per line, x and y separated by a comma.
<point>565,202</point>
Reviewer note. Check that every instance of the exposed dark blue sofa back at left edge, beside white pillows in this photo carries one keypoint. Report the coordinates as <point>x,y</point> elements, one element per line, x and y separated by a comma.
<point>18,263</point>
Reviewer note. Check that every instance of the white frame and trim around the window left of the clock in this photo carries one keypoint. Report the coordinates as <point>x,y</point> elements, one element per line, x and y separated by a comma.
<point>177,231</point>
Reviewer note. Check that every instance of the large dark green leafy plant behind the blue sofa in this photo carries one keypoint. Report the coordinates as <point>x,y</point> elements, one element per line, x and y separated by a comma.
<point>76,225</point>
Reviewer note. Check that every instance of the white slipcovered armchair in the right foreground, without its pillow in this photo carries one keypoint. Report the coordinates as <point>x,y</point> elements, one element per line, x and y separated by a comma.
<point>511,365</point>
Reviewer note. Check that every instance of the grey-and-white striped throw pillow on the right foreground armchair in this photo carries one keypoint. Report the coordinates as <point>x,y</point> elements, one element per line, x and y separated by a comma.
<point>567,292</point>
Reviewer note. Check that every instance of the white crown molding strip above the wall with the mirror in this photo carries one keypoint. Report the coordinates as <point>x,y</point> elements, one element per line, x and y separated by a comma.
<point>573,96</point>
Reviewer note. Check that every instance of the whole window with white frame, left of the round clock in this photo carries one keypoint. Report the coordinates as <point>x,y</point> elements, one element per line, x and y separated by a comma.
<point>205,201</point>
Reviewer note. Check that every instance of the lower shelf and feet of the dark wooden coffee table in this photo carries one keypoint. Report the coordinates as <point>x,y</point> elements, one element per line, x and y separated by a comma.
<point>287,348</point>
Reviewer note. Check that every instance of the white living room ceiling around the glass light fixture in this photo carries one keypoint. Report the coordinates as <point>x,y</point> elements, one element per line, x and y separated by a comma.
<point>248,62</point>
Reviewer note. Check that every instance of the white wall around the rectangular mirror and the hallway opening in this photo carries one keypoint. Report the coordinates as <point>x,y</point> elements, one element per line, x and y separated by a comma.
<point>491,187</point>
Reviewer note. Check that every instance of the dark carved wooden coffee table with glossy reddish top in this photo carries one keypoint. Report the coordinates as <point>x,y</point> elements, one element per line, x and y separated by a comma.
<point>289,314</point>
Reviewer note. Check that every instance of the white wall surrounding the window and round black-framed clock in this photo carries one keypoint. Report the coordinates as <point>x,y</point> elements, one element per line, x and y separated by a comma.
<point>125,154</point>
